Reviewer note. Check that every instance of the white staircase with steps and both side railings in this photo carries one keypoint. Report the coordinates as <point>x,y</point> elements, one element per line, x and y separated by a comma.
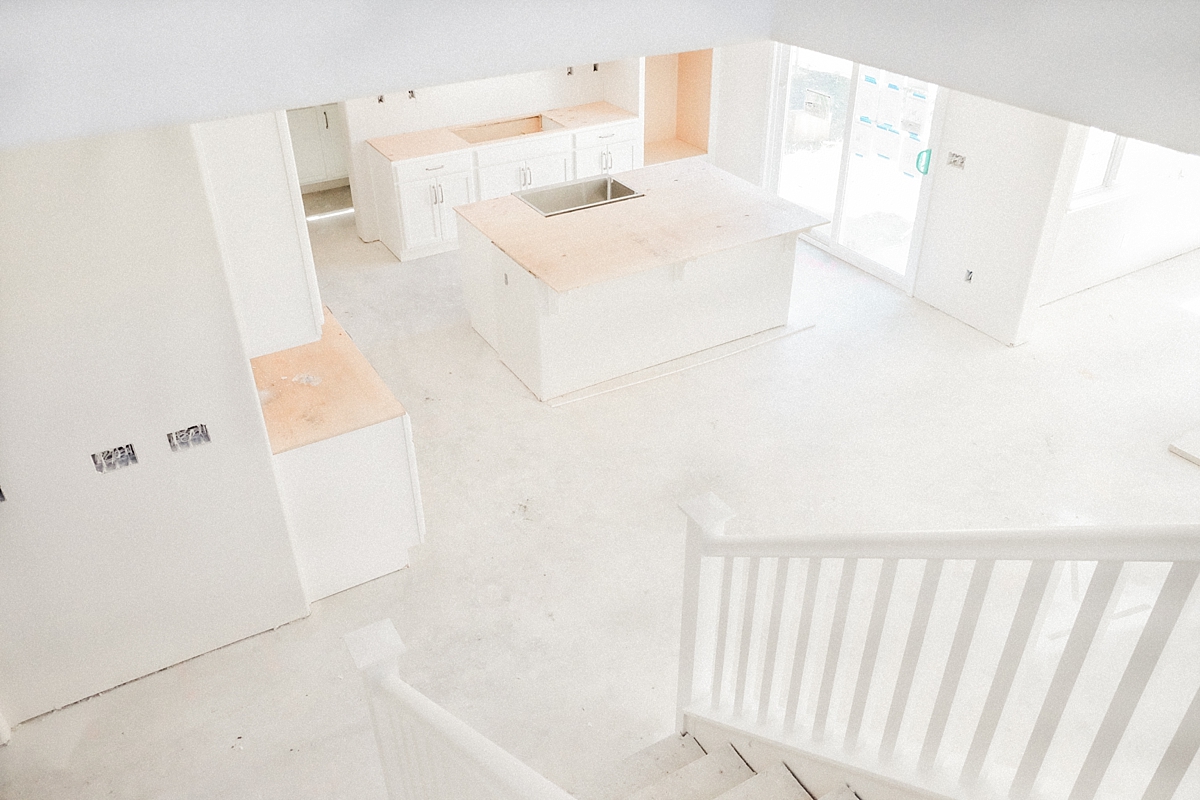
<point>927,666</point>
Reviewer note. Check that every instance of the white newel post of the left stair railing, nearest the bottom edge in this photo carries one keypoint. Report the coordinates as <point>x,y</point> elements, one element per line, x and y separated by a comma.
<point>376,651</point>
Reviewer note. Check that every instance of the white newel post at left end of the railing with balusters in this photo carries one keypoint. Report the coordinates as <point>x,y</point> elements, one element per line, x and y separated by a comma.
<point>707,516</point>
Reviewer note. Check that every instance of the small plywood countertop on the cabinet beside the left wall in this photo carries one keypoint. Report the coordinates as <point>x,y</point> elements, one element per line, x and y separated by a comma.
<point>322,390</point>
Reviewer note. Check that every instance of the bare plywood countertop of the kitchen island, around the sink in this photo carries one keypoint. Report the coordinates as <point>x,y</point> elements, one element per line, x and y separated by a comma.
<point>689,209</point>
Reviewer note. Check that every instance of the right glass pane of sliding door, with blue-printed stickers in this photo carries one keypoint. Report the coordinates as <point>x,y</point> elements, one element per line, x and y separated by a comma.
<point>889,157</point>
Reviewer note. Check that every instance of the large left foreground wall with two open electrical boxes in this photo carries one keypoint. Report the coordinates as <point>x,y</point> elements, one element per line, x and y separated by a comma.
<point>117,328</point>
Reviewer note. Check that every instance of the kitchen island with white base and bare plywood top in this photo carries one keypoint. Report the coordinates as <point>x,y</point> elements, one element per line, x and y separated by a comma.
<point>568,302</point>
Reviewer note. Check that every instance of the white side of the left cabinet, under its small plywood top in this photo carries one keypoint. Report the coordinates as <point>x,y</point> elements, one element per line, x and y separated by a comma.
<point>353,504</point>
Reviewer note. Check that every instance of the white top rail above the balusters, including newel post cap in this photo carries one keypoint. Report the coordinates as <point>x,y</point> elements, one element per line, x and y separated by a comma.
<point>1178,543</point>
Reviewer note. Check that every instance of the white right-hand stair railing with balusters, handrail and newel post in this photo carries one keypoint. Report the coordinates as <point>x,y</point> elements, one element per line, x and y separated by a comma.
<point>741,640</point>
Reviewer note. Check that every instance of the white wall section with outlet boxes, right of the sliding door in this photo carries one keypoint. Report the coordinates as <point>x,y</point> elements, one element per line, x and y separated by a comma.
<point>997,216</point>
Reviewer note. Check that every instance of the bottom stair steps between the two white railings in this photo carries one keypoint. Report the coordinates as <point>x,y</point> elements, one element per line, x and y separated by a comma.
<point>680,768</point>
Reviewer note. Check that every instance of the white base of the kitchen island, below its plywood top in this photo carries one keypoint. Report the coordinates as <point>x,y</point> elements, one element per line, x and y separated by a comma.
<point>561,342</point>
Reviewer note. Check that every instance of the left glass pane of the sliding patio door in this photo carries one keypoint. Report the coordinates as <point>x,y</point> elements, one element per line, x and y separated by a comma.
<point>815,125</point>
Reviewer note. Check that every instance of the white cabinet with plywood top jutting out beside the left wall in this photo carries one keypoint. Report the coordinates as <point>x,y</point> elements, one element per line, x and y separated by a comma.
<point>344,456</point>
